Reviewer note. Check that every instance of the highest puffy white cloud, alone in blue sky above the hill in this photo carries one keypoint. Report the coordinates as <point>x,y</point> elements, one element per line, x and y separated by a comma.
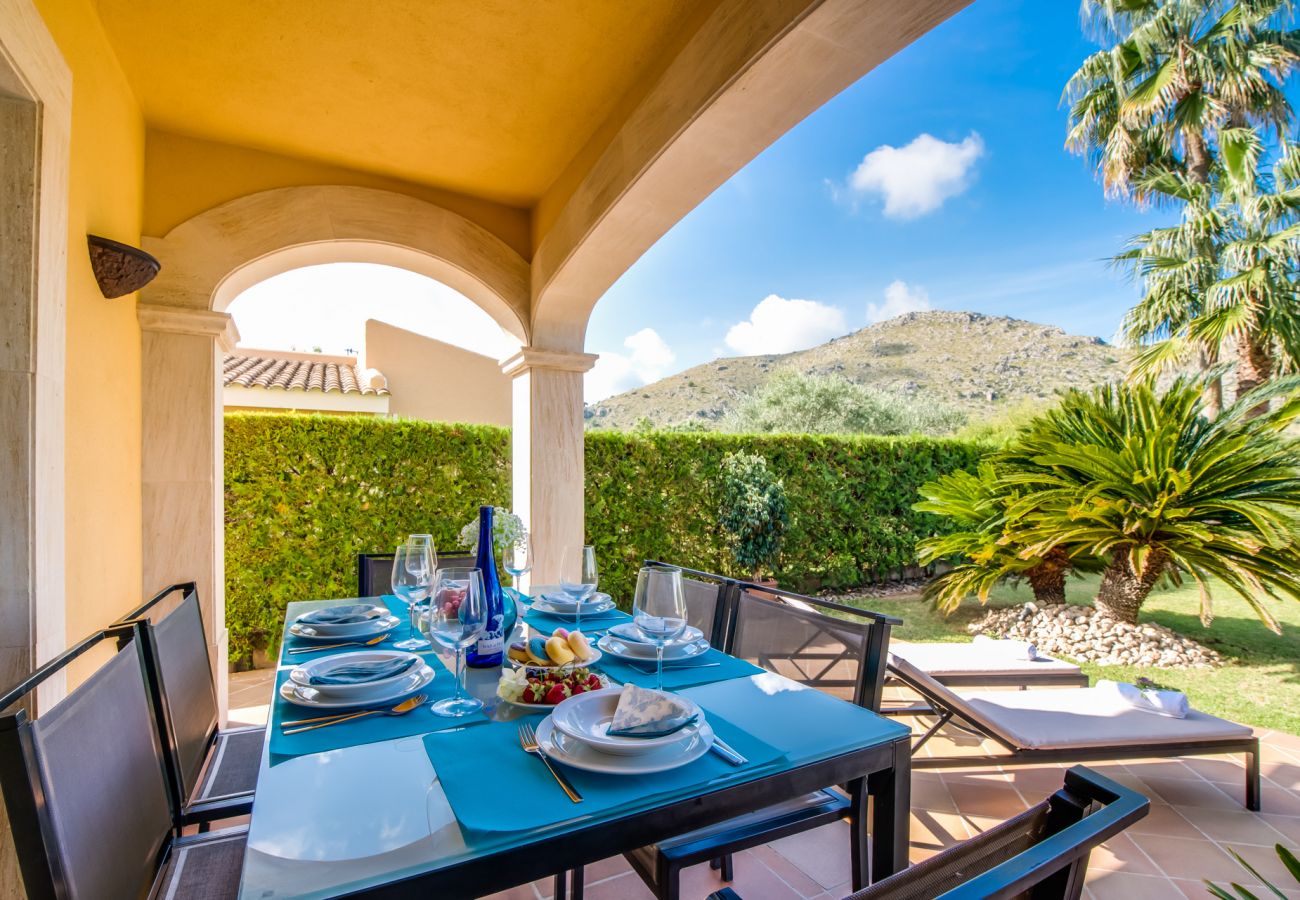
<point>917,179</point>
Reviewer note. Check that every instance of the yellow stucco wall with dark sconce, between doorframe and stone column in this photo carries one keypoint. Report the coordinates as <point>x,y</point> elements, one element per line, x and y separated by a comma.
<point>103,375</point>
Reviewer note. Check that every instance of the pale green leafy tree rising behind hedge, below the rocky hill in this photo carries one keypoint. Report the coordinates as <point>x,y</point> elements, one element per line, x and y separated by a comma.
<point>794,404</point>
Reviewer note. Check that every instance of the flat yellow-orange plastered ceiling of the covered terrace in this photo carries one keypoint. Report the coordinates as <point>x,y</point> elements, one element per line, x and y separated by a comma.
<point>489,98</point>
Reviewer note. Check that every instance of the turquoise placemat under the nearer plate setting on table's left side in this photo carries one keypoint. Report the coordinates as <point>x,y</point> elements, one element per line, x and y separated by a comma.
<point>363,732</point>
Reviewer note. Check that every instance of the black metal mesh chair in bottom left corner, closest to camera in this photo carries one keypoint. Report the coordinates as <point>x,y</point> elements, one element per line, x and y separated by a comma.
<point>88,795</point>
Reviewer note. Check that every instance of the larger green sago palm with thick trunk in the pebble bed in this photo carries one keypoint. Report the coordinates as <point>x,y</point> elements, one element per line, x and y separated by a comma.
<point>1149,484</point>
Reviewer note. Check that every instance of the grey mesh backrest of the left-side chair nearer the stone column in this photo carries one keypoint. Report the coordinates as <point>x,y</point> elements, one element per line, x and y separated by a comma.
<point>187,689</point>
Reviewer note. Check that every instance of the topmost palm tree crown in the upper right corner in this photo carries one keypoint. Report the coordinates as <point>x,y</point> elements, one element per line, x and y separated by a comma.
<point>1175,73</point>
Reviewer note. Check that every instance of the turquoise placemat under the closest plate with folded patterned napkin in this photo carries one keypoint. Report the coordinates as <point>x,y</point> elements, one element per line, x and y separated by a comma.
<point>493,786</point>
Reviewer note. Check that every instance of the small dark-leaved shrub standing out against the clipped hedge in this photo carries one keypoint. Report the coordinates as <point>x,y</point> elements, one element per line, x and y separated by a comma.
<point>752,510</point>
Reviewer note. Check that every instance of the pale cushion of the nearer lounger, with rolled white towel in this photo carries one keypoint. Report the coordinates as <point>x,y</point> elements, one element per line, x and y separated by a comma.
<point>1087,717</point>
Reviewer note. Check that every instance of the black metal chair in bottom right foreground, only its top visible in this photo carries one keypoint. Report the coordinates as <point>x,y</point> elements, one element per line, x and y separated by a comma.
<point>1041,854</point>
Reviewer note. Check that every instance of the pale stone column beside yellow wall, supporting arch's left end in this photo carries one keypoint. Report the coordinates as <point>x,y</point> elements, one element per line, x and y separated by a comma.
<point>184,504</point>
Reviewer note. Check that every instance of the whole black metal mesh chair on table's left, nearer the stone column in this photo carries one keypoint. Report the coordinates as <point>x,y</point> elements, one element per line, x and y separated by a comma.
<point>213,772</point>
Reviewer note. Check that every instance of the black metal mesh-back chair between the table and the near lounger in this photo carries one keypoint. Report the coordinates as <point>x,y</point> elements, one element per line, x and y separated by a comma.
<point>835,648</point>
